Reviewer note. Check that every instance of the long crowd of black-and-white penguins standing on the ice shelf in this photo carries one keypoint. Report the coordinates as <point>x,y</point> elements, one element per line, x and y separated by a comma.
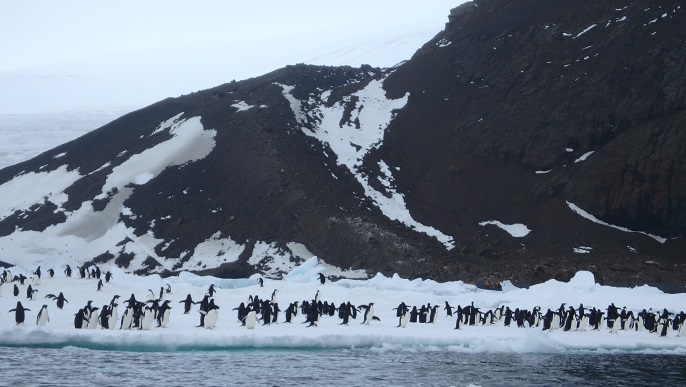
<point>156,309</point>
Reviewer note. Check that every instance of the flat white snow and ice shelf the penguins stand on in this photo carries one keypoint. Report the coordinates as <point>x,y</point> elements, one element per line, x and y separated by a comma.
<point>182,333</point>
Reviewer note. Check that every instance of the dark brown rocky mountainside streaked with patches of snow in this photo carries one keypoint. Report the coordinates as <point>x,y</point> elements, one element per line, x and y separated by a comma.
<point>520,114</point>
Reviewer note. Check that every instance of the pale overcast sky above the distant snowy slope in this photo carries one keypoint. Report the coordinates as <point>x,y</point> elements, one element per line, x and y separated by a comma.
<point>41,32</point>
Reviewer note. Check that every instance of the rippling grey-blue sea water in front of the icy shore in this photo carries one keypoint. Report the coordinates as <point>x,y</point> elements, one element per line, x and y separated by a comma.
<point>73,366</point>
